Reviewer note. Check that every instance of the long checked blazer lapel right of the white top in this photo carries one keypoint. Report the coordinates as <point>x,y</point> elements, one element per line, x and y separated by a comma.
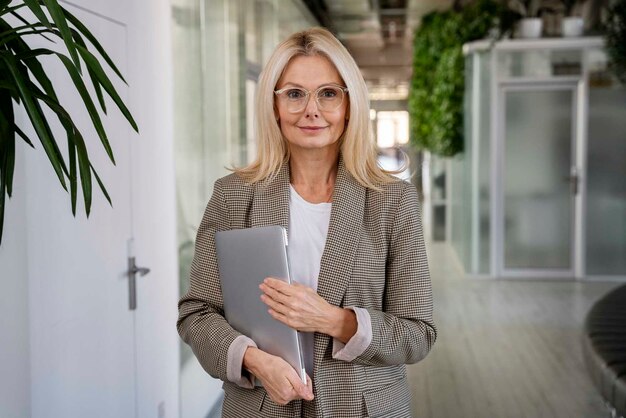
<point>346,220</point>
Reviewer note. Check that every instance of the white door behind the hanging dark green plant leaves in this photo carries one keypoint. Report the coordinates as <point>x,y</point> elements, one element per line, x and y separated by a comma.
<point>82,338</point>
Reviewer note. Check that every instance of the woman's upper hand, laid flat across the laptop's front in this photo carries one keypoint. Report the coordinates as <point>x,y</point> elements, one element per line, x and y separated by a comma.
<point>302,309</point>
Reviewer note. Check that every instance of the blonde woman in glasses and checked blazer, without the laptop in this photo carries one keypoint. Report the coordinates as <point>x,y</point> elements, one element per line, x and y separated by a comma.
<point>362,297</point>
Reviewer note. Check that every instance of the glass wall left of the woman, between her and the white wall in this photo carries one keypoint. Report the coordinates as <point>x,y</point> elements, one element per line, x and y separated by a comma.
<point>219,48</point>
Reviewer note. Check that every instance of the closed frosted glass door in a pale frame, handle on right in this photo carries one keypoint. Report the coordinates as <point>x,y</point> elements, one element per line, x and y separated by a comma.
<point>538,181</point>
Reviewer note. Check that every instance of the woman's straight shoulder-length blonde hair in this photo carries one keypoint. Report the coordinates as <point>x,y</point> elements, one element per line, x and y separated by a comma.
<point>357,142</point>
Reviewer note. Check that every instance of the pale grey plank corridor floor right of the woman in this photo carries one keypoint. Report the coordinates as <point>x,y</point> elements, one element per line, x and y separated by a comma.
<point>506,348</point>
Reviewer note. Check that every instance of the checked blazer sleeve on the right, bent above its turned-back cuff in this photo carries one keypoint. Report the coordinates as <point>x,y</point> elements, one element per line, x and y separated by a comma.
<point>404,331</point>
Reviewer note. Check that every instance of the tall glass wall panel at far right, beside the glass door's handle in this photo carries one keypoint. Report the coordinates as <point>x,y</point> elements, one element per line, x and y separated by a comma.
<point>606,181</point>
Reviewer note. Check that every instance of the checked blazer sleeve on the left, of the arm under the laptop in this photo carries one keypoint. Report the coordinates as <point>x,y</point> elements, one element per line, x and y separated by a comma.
<point>201,322</point>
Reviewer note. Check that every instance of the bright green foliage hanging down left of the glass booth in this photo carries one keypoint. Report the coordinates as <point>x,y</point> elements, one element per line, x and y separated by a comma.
<point>437,85</point>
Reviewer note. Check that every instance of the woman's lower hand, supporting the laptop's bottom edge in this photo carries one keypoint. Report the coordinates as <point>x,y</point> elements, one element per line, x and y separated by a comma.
<point>279,378</point>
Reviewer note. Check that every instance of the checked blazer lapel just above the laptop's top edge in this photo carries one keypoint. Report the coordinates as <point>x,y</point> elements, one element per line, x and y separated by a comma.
<point>270,204</point>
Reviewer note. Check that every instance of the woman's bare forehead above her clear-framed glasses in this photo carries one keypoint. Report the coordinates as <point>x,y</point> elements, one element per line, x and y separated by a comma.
<point>310,71</point>
